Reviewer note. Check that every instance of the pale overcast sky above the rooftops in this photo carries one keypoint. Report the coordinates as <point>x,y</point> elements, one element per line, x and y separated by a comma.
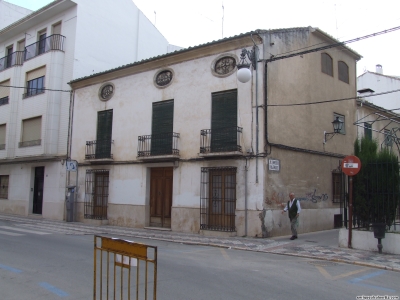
<point>188,22</point>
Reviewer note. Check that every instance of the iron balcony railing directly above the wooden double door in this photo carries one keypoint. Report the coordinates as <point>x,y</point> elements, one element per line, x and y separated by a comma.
<point>158,144</point>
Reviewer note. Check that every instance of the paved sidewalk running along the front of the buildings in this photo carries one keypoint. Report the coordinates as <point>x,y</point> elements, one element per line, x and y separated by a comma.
<point>305,246</point>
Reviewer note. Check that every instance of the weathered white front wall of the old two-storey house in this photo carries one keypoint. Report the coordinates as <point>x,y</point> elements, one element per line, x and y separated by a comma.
<point>191,88</point>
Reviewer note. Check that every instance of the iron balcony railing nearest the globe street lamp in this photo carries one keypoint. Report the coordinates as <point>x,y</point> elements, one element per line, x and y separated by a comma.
<point>220,140</point>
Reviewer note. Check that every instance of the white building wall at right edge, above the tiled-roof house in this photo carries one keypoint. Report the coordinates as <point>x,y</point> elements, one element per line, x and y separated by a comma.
<point>381,83</point>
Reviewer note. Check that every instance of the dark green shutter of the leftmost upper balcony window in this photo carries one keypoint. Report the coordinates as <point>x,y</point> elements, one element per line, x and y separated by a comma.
<point>104,133</point>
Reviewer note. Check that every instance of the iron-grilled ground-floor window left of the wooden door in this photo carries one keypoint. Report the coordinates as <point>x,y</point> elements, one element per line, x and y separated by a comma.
<point>96,194</point>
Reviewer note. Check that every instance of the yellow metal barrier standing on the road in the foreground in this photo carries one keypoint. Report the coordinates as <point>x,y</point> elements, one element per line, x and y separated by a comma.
<point>115,261</point>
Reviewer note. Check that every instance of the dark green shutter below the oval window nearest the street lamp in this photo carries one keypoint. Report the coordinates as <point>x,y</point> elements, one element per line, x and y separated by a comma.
<point>224,121</point>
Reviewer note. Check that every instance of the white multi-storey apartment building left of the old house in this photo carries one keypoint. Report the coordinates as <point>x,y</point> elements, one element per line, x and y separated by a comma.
<point>39,54</point>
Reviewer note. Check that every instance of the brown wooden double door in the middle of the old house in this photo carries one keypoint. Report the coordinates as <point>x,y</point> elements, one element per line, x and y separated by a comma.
<point>161,197</point>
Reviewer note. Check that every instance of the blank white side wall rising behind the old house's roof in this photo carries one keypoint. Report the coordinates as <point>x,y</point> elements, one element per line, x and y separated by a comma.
<point>113,34</point>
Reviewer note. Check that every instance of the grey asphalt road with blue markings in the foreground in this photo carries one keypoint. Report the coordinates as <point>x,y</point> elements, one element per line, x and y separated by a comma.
<point>54,265</point>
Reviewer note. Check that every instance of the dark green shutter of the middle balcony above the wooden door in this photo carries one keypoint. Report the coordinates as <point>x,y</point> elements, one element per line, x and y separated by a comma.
<point>162,127</point>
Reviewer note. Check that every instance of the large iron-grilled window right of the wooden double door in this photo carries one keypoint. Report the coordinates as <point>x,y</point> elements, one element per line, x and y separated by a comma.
<point>218,198</point>
